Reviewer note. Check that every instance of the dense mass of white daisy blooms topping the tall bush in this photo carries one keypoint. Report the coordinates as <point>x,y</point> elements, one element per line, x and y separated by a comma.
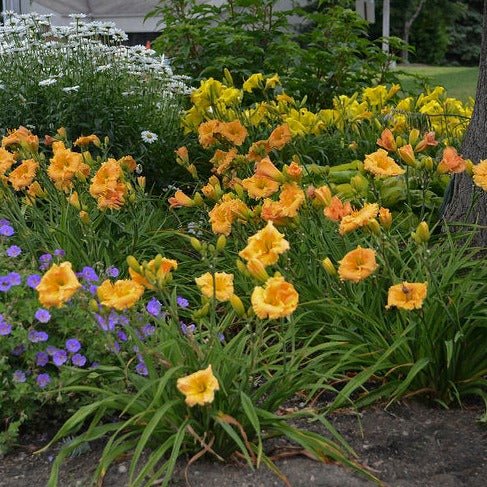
<point>31,45</point>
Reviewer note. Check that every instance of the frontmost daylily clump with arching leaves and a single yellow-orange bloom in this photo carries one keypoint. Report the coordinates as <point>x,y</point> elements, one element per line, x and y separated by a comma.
<point>255,373</point>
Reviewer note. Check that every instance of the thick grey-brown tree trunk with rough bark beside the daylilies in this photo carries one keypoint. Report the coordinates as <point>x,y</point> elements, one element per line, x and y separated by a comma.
<point>465,202</point>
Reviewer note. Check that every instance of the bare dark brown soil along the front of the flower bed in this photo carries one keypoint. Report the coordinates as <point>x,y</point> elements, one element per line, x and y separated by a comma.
<point>409,445</point>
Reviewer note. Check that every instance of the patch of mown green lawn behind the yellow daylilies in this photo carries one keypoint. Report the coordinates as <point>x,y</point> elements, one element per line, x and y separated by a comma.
<point>460,82</point>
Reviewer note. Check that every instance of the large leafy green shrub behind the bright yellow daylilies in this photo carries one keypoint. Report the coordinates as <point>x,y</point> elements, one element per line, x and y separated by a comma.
<point>331,54</point>
